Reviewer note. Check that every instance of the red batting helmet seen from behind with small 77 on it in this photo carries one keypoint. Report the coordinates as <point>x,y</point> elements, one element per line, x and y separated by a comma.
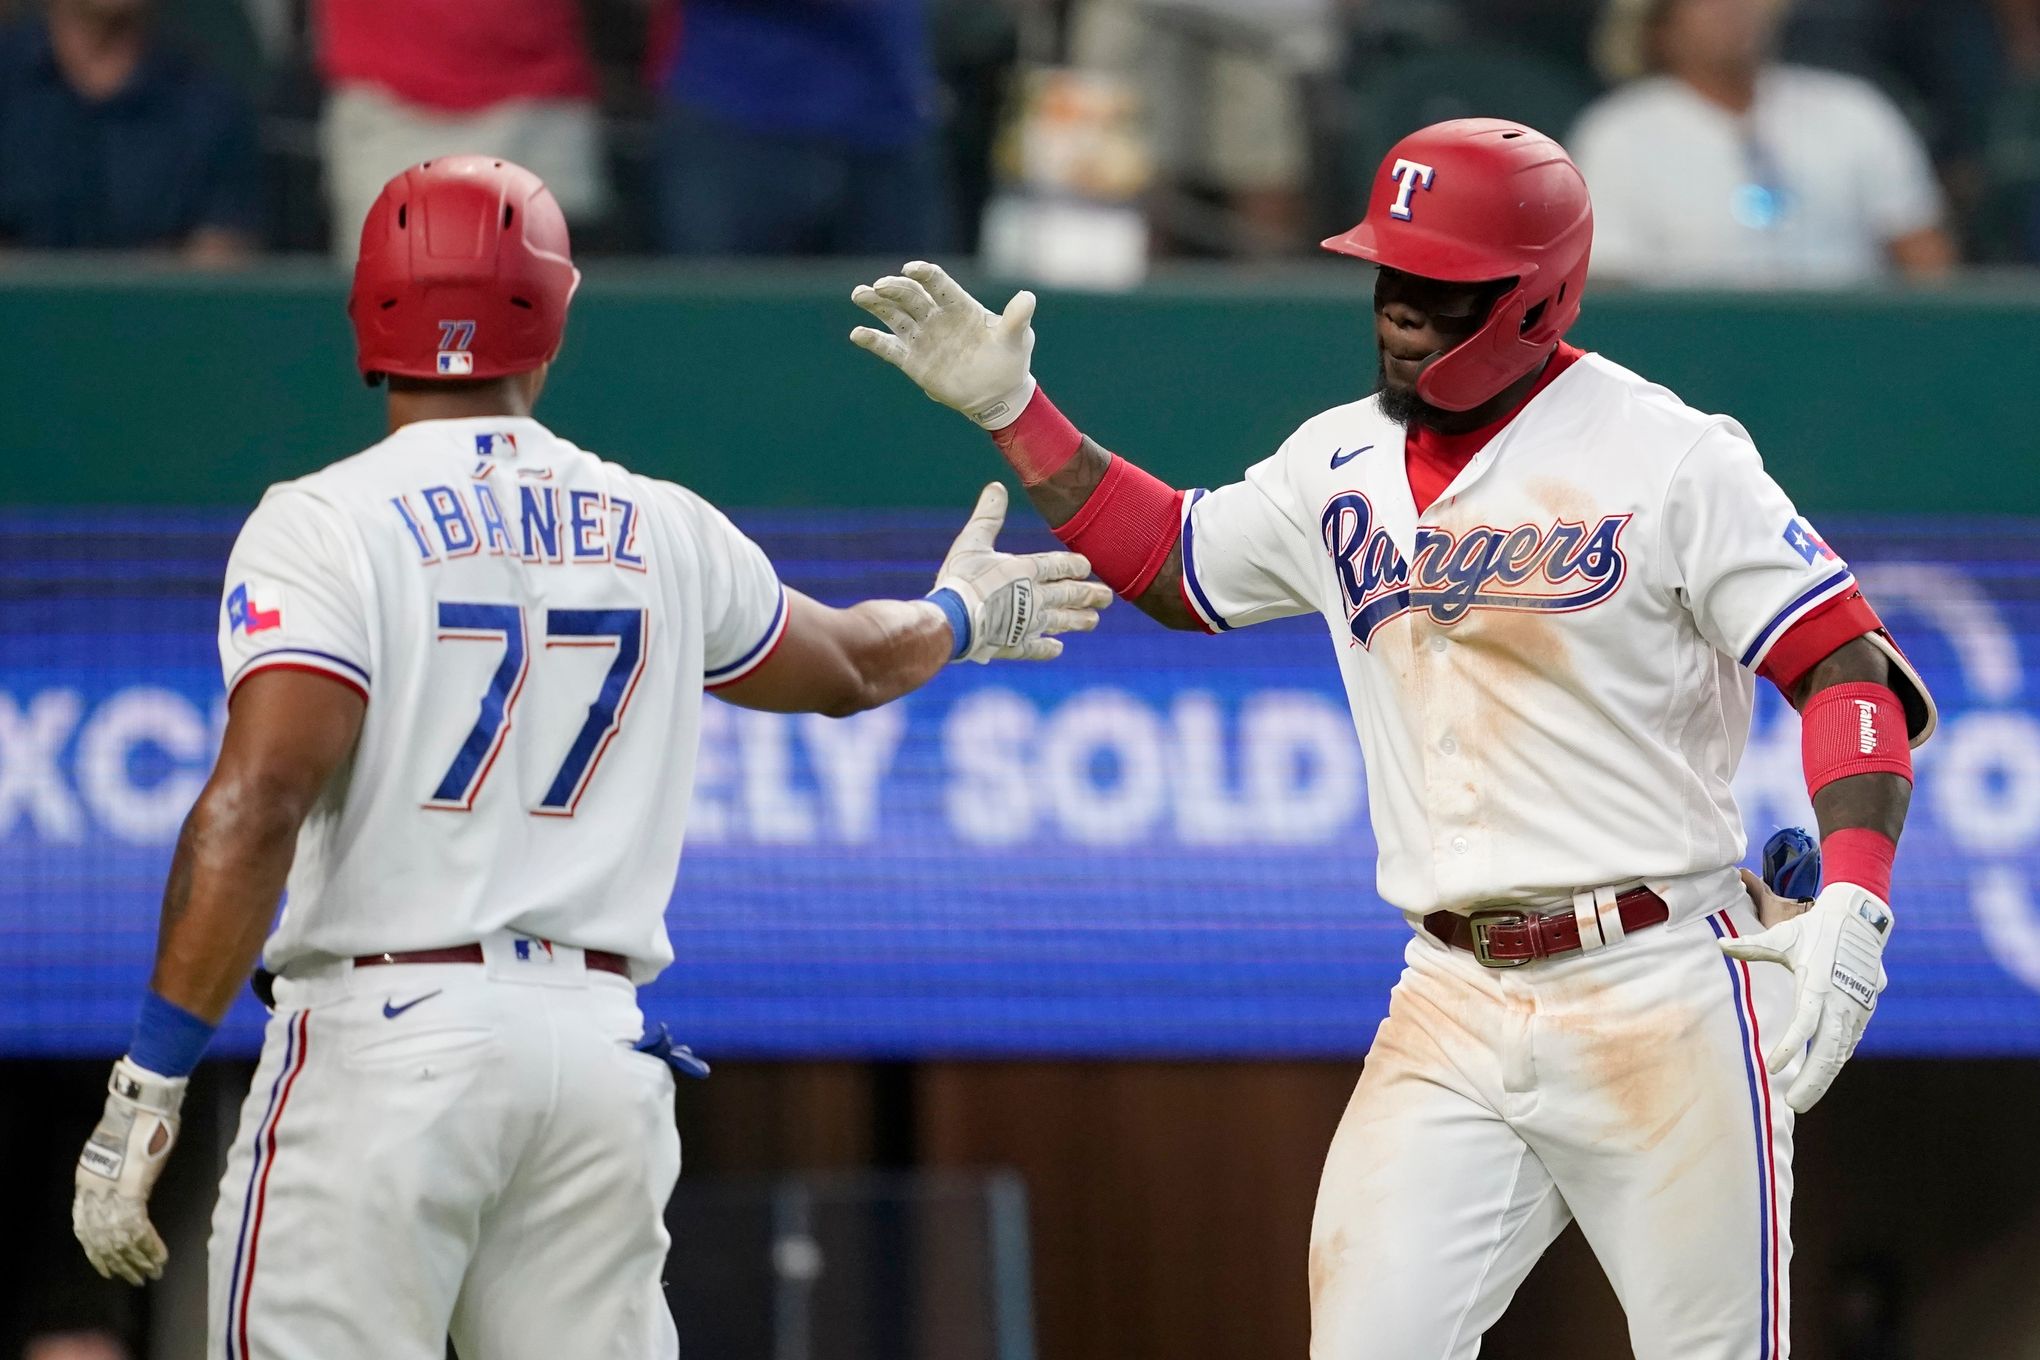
<point>464,272</point>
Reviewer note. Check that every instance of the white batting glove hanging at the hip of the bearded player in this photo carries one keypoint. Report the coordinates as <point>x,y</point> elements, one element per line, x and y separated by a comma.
<point>1837,957</point>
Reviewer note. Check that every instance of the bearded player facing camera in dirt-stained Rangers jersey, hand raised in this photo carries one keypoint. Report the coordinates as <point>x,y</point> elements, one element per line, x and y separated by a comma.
<point>1551,588</point>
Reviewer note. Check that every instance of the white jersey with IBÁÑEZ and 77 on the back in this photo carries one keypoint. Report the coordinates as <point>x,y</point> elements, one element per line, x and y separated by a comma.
<point>533,631</point>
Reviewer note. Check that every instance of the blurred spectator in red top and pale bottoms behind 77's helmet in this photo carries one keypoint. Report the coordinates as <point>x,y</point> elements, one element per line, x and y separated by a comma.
<point>419,79</point>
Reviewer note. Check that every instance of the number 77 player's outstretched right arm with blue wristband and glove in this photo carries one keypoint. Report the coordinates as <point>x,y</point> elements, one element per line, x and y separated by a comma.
<point>986,607</point>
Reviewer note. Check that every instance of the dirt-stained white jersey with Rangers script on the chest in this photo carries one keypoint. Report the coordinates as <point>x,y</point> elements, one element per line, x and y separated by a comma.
<point>1553,668</point>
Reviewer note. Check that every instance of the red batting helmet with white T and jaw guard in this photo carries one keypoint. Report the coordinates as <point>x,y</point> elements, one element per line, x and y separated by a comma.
<point>1476,201</point>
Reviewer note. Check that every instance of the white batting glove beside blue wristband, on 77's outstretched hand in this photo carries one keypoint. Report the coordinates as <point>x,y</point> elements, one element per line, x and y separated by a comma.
<point>1017,600</point>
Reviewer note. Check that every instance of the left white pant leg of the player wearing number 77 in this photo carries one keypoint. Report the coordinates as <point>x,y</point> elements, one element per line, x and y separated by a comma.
<point>368,1149</point>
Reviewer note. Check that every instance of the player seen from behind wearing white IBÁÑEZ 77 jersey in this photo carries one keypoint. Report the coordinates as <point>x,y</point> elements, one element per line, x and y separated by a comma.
<point>466,680</point>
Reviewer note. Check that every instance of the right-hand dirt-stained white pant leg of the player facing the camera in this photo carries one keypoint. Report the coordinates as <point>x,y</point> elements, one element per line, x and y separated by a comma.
<point>1668,1137</point>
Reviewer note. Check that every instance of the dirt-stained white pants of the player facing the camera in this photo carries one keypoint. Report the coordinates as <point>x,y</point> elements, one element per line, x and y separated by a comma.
<point>1625,1090</point>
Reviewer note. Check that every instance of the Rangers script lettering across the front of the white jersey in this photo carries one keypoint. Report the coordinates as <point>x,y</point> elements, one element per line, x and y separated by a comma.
<point>1539,568</point>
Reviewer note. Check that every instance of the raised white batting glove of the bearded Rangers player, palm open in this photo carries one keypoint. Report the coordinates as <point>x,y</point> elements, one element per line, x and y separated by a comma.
<point>962,354</point>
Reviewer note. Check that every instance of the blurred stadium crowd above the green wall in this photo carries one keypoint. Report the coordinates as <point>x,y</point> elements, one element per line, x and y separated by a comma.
<point>1727,142</point>
